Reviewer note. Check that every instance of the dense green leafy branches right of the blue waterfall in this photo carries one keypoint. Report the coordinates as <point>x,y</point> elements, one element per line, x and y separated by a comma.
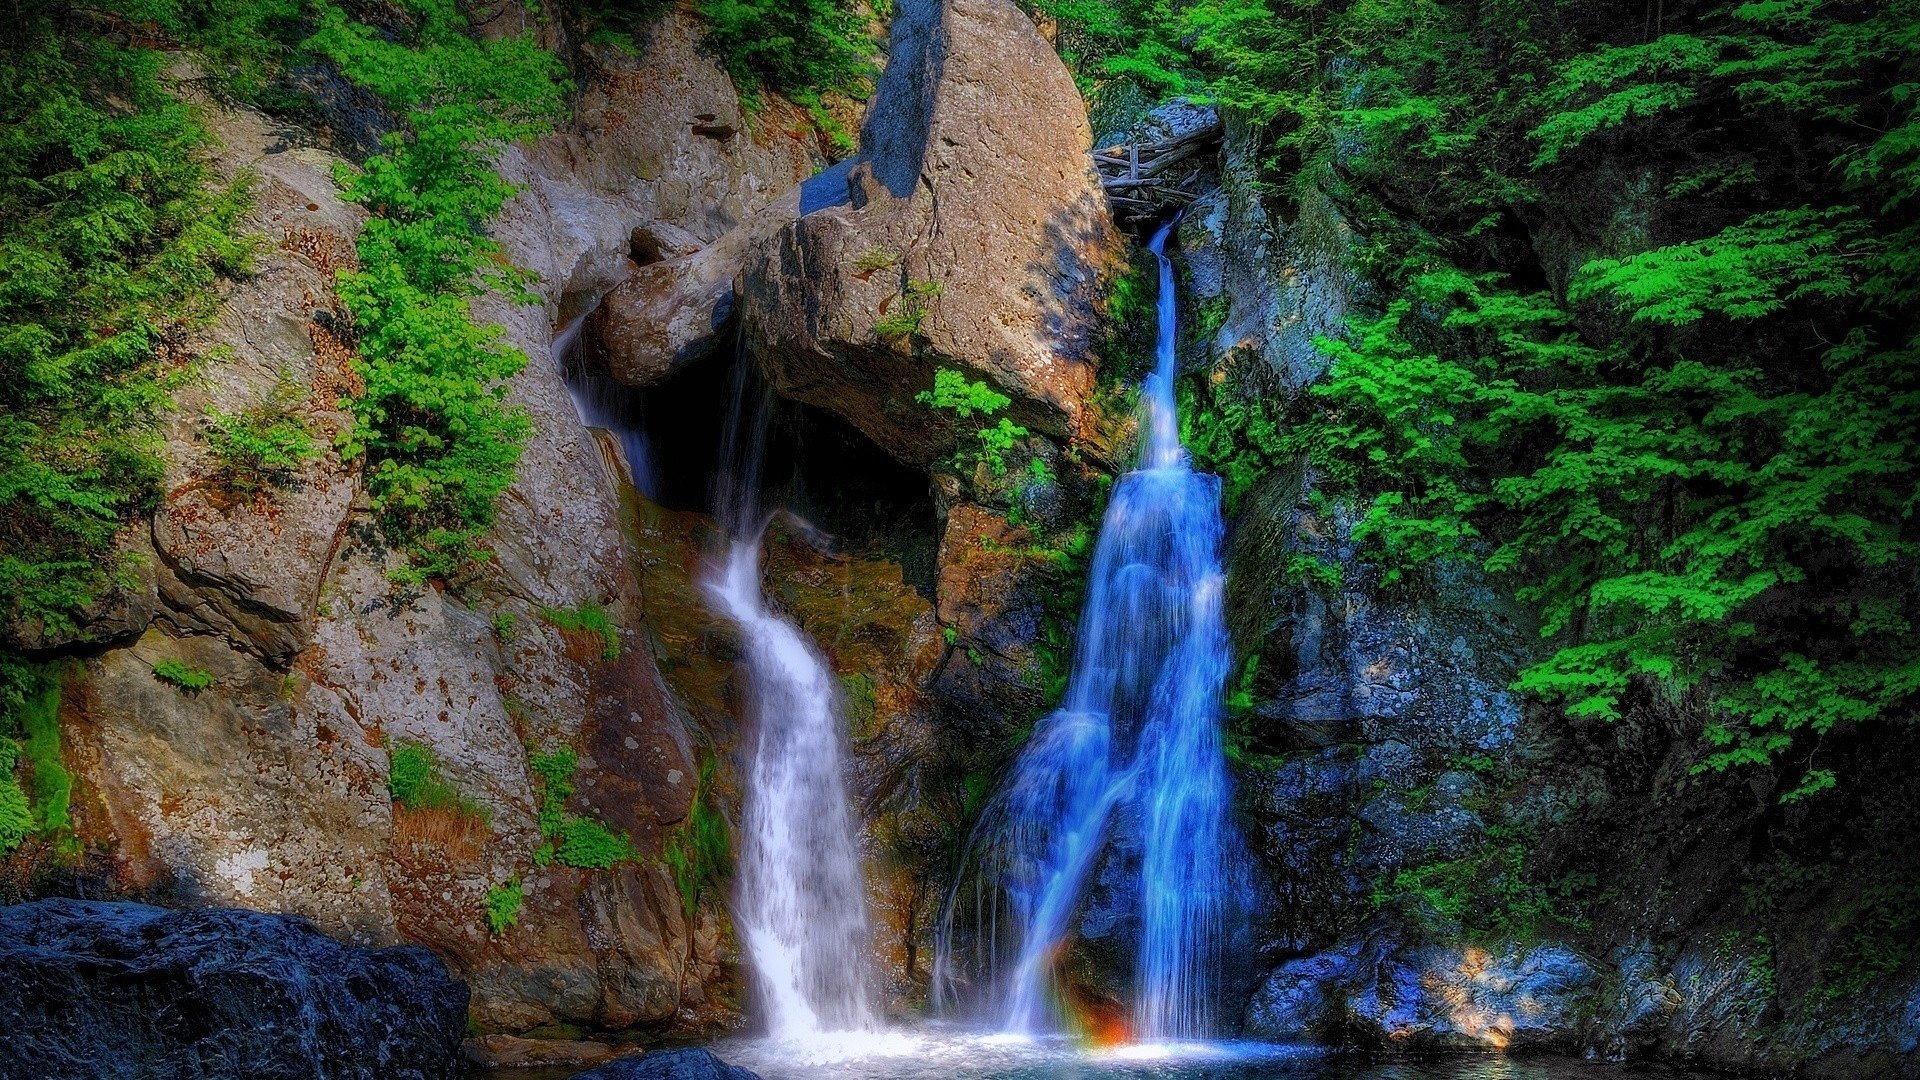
<point>1685,428</point>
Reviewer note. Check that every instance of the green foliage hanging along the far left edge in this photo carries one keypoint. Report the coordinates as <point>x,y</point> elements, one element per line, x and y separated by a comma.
<point>112,235</point>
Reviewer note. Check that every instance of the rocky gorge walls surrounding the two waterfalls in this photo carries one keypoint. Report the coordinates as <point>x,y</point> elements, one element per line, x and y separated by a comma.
<point>506,800</point>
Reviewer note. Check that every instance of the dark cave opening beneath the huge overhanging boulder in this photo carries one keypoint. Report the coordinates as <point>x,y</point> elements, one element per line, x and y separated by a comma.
<point>817,466</point>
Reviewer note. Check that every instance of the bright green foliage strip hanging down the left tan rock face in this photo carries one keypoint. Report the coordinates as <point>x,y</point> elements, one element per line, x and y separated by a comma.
<point>435,424</point>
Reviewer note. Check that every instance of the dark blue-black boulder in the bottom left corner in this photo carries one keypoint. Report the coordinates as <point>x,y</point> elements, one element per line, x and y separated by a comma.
<point>120,991</point>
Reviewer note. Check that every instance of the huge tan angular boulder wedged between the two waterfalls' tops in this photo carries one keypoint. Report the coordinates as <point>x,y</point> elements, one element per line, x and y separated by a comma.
<point>967,233</point>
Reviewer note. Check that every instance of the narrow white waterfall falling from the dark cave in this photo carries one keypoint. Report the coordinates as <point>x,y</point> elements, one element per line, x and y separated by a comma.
<point>802,900</point>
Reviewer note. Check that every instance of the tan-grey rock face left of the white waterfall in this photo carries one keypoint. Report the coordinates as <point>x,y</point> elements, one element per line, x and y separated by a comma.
<point>272,789</point>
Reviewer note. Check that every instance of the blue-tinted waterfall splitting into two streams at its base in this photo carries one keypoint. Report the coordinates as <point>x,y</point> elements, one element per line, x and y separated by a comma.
<point>1136,747</point>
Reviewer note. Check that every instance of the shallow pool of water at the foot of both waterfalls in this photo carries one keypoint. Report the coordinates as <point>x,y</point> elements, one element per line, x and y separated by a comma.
<point>932,1054</point>
